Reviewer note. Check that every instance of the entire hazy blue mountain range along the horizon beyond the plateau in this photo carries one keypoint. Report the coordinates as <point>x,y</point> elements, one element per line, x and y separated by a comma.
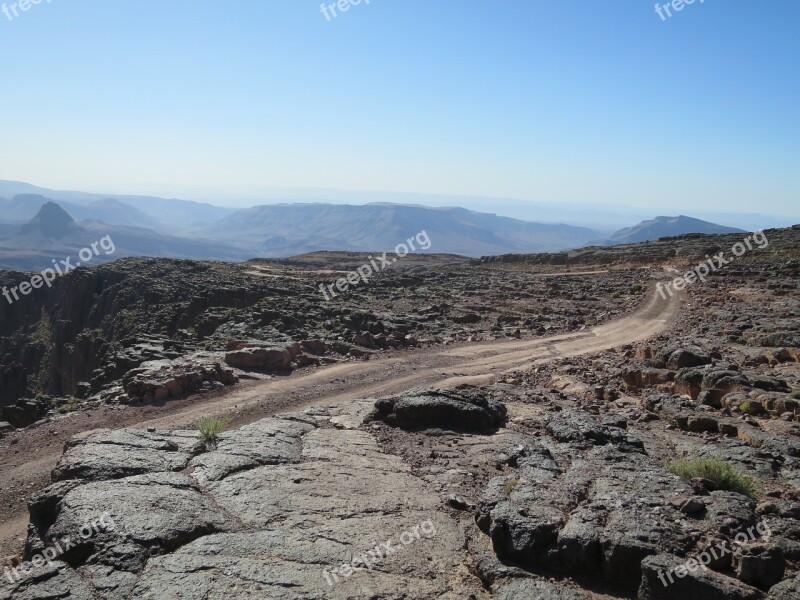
<point>37,225</point>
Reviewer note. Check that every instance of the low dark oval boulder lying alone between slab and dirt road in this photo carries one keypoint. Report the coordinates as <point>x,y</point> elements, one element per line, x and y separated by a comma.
<point>462,410</point>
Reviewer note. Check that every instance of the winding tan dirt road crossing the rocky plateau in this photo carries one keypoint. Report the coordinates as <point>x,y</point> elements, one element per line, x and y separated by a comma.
<point>28,456</point>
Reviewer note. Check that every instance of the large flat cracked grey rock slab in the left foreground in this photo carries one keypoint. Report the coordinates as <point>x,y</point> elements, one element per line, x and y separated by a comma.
<point>305,506</point>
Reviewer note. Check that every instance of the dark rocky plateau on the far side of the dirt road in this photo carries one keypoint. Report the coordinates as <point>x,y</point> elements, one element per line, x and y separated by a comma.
<point>144,330</point>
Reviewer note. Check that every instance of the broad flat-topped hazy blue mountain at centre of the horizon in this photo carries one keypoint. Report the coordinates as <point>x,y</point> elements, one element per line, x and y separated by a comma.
<point>282,230</point>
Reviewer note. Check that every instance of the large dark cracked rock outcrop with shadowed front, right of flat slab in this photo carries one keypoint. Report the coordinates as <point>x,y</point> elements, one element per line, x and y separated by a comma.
<point>594,516</point>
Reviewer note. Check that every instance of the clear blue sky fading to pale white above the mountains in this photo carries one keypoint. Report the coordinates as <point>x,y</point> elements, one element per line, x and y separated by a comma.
<point>564,101</point>
